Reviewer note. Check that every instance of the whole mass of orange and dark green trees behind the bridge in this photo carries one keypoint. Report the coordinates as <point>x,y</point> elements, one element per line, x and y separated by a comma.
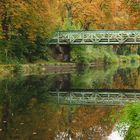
<point>26,25</point>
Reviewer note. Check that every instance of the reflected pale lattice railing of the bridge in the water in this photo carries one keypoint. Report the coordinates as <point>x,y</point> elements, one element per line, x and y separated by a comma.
<point>96,98</point>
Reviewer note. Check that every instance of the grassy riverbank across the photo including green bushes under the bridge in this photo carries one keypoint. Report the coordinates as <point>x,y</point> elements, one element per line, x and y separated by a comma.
<point>87,55</point>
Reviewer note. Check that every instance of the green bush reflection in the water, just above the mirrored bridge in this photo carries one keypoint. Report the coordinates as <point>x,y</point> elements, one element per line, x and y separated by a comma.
<point>94,78</point>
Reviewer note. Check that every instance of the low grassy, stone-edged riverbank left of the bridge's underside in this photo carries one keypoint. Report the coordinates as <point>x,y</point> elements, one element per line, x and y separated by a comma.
<point>38,68</point>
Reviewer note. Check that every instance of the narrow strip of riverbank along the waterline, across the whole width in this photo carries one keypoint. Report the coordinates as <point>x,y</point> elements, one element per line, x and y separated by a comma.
<point>54,67</point>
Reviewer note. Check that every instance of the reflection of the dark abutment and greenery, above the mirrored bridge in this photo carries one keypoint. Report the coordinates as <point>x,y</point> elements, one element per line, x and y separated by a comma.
<point>100,78</point>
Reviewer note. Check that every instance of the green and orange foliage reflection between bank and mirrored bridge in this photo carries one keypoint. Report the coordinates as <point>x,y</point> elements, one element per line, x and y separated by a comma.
<point>111,77</point>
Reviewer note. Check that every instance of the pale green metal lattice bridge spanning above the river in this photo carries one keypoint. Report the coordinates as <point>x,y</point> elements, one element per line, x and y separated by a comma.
<point>96,37</point>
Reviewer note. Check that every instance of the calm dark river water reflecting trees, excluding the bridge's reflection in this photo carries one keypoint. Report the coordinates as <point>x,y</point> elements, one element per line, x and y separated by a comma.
<point>28,111</point>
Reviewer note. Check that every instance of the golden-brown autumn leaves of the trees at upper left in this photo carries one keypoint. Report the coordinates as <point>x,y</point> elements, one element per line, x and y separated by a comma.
<point>34,16</point>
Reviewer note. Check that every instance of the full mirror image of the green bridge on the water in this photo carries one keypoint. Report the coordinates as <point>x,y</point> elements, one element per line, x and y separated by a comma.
<point>99,98</point>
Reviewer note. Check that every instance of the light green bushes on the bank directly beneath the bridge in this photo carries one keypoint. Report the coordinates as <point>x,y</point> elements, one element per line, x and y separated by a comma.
<point>89,54</point>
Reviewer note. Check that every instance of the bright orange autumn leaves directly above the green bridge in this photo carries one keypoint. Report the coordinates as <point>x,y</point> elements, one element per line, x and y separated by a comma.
<point>108,14</point>
